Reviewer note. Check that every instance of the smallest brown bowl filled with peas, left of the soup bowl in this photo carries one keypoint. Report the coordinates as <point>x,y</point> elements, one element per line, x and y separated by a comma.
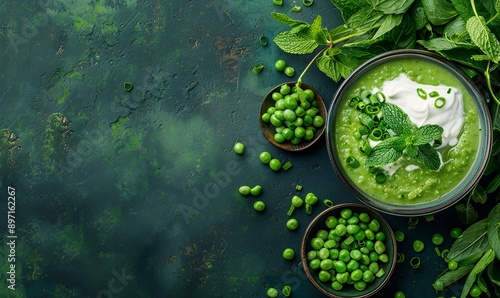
<point>293,118</point>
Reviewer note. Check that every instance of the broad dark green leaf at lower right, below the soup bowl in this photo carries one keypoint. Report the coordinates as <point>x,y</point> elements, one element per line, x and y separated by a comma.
<point>473,241</point>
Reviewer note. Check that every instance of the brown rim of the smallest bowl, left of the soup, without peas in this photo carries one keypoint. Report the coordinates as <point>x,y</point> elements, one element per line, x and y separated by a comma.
<point>266,127</point>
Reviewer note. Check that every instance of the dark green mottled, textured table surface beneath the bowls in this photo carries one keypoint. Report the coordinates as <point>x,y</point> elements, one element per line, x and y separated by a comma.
<point>135,193</point>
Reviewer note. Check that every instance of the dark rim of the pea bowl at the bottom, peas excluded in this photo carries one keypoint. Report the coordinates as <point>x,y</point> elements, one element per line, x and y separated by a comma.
<point>391,239</point>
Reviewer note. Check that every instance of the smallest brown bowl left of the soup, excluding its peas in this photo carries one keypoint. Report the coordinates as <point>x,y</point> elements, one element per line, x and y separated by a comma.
<point>269,130</point>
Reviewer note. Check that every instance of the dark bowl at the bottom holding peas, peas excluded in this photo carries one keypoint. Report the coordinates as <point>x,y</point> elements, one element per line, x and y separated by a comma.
<point>348,291</point>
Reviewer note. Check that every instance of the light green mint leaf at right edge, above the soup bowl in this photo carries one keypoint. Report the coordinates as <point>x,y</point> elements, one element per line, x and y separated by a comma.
<point>481,35</point>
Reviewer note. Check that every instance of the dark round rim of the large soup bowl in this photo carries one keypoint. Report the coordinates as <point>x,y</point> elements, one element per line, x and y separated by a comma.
<point>468,182</point>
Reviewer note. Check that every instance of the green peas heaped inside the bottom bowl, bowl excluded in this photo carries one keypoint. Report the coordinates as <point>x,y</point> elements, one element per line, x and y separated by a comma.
<point>350,250</point>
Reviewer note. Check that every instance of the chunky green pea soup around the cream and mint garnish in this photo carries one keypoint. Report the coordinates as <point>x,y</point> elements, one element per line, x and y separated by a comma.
<point>419,185</point>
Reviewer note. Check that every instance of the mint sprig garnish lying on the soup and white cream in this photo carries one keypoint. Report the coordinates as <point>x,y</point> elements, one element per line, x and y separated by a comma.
<point>408,139</point>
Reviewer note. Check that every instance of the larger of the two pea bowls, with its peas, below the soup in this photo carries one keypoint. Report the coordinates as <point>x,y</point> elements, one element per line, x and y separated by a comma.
<point>349,250</point>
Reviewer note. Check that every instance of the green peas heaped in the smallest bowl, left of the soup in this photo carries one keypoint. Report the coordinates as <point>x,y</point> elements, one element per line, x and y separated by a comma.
<point>295,115</point>
